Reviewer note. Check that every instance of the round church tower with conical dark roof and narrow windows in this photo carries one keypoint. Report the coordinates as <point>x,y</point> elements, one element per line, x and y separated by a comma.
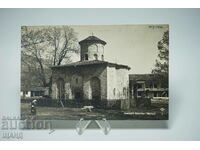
<point>92,48</point>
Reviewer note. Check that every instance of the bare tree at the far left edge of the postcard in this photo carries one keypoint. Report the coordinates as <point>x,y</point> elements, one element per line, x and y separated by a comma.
<point>33,45</point>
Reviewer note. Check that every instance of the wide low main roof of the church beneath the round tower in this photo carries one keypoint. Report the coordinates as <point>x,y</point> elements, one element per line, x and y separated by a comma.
<point>92,62</point>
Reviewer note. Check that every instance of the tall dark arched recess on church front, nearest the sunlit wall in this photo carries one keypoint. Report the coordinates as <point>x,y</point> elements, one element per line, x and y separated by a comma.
<point>96,88</point>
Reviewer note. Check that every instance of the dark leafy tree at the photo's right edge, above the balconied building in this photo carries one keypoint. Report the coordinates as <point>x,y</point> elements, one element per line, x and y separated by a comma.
<point>162,63</point>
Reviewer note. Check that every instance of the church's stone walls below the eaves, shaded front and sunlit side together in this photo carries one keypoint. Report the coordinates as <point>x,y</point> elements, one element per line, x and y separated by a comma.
<point>113,84</point>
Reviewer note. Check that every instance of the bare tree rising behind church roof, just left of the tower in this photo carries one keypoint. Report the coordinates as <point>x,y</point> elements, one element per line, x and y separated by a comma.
<point>61,41</point>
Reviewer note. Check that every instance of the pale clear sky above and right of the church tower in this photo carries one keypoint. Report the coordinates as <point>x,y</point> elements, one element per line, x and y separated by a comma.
<point>132,45</point>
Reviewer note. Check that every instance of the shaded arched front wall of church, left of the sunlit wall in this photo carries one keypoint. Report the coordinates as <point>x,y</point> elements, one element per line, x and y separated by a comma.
<point>78,79</point>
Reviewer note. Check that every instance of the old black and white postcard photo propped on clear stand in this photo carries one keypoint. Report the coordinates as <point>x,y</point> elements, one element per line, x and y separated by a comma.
<point>117,72</point>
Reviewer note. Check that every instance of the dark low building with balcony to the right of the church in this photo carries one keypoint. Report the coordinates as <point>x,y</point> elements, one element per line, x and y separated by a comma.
<point>147,89</point>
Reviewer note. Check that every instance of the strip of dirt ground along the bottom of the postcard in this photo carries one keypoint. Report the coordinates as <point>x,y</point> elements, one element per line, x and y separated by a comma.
<point>59,113</point>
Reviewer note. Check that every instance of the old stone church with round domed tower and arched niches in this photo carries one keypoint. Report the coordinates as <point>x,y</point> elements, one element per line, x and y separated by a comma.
<point>91,78</point>
